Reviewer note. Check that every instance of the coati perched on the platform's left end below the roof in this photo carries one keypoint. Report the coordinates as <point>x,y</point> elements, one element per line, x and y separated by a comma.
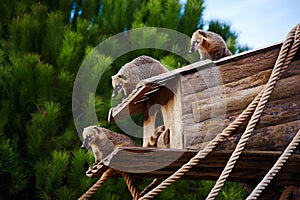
<point>103,141</point>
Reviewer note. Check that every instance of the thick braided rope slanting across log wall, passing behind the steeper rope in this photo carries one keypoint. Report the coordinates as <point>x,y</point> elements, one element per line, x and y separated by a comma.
<point>208,148</point>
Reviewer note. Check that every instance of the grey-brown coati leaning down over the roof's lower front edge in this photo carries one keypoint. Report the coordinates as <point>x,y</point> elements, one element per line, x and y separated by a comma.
<point>133,72</point>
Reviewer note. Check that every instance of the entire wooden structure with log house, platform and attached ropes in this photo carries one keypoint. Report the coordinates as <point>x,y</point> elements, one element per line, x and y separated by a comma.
<point>235,119</point>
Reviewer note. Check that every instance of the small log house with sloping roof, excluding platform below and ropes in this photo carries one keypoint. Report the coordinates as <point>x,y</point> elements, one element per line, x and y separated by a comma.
<point>198,101</point>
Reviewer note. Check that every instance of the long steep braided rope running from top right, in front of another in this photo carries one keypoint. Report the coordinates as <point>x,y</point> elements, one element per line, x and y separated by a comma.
<point>277,71</point>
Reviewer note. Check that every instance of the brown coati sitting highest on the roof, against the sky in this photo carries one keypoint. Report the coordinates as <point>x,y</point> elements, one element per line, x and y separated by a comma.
<point>209,44</point>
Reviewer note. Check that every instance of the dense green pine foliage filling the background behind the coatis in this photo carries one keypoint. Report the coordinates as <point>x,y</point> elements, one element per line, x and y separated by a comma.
<point>41,51</point>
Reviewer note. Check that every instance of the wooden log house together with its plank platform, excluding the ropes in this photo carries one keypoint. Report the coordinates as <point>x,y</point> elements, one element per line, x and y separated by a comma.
<point>197,102</point>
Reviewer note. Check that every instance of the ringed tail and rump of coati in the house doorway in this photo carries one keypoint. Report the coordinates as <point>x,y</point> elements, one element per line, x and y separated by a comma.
<point>157,141</point>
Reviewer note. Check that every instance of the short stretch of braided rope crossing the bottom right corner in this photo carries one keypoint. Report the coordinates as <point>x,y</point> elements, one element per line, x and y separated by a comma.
<point>275,169</point>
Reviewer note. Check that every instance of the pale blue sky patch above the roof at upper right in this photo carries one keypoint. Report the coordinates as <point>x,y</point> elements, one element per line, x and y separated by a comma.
<point>258,22</point>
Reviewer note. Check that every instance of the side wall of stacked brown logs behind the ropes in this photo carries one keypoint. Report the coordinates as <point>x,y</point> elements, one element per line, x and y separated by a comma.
<point>205,115</point>
